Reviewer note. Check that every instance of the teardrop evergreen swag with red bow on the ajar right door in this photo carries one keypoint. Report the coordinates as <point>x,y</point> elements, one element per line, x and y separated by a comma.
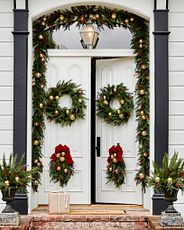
<point>116,166</point>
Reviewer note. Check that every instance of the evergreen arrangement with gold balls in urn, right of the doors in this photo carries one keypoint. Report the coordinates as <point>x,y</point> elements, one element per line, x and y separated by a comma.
<point>169,179</point>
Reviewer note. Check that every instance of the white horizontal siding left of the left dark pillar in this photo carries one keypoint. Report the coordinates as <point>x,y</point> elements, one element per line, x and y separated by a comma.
<point>6,79</point>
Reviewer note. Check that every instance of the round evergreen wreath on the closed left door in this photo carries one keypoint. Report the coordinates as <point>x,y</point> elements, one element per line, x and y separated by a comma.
<point>65,116</point>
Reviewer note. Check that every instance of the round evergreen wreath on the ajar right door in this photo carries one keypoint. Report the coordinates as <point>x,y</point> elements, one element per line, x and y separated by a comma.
<point>109,115</point>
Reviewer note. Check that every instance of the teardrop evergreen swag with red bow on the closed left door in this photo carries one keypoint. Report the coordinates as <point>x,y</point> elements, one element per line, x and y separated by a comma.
<point>61,165</point>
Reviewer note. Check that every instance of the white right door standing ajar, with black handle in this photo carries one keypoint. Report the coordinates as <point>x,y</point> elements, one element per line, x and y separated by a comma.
<point>115,71</point>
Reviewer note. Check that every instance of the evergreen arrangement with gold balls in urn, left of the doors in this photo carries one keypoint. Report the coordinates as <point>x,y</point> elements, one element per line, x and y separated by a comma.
<point>14,177</point>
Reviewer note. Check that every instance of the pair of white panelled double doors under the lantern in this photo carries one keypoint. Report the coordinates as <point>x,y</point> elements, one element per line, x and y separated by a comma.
<point>78,136</point>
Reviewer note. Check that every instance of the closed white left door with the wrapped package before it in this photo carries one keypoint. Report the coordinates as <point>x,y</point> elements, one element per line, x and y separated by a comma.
<point>76,136</point>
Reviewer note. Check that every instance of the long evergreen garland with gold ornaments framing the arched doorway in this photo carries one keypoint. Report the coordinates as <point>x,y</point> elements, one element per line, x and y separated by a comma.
<point>43,28</point>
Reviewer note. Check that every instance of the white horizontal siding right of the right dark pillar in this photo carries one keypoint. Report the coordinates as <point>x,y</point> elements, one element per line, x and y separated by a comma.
<point>176,82</point>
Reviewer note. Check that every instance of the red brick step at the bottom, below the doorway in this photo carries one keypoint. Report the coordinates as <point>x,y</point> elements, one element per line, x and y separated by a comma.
<point>93,222</point>
